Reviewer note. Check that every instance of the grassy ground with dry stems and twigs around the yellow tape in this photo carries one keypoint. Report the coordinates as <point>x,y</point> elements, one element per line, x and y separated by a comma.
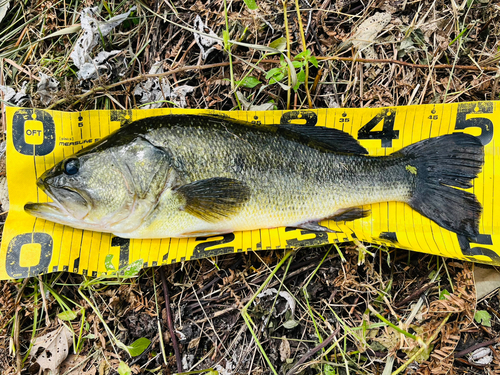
<point>321,312</point>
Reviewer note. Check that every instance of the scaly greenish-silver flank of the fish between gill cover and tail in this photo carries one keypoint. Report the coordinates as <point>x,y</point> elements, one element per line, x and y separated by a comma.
<point>290,182</point>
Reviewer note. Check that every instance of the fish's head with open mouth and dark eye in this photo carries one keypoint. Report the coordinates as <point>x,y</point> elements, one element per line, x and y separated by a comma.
<point>89,191</point>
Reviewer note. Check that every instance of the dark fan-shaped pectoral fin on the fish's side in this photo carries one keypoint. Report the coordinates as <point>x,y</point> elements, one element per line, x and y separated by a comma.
<point>215,198</point>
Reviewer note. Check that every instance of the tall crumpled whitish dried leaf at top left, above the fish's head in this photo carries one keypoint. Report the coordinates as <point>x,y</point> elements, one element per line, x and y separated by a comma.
<point>93,30</point>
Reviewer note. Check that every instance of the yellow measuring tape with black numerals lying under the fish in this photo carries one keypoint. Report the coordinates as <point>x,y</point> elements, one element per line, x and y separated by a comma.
<point>38,139</point>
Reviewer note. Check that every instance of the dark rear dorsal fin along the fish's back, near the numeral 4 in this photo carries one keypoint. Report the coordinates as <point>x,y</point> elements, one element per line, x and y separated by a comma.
<point>331,139</point>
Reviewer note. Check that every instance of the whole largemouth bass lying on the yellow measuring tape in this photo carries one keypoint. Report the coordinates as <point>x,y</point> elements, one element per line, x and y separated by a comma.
<point>202,175</point>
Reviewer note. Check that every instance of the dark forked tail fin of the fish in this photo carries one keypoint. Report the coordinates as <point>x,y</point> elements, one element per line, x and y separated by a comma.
<point>440,164</point>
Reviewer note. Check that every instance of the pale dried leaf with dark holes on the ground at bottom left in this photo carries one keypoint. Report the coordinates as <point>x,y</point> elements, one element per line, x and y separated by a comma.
<point>55,347</point>
